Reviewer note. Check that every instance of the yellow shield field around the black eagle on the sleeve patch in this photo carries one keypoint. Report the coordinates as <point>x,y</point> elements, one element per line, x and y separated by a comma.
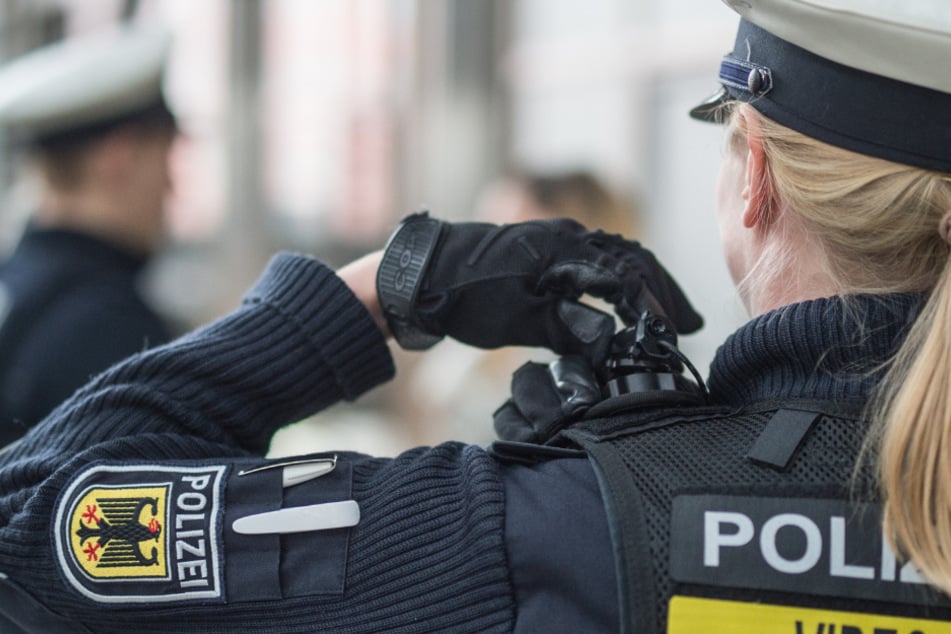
<point>101,493</point>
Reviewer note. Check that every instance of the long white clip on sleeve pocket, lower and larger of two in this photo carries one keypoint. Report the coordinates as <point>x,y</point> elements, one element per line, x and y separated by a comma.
<point>298,519</point>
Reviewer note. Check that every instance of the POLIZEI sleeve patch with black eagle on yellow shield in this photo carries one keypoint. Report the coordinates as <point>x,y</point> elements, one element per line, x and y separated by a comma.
<point>142,533</point>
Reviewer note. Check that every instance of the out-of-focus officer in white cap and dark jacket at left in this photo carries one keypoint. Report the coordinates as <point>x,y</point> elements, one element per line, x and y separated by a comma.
<point>91,115</point>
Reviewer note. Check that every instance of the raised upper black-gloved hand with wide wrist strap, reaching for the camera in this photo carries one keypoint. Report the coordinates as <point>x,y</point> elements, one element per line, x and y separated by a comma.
<point>490,286</point>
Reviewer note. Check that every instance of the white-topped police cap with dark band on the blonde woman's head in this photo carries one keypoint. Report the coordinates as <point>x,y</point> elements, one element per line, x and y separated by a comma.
<point>871,76</point>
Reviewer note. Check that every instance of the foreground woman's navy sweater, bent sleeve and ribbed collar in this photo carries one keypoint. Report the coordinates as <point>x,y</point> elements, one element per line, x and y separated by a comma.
<point>117,512</point>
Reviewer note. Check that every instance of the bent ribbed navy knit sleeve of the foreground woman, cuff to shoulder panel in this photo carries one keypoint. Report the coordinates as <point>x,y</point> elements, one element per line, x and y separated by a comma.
<point>427,553</point>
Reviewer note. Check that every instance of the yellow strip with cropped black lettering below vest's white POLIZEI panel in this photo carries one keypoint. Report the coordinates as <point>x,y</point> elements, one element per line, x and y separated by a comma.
<point>690,615</point>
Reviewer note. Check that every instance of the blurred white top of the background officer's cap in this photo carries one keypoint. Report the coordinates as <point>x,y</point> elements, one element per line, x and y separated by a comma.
<point>84,81</point>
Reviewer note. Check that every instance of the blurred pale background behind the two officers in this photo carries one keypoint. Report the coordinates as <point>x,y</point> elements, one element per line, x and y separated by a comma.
<point>315,125</point>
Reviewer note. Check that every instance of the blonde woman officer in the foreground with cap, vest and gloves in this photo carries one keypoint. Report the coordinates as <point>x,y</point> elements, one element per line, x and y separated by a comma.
<point>624,496</point>
